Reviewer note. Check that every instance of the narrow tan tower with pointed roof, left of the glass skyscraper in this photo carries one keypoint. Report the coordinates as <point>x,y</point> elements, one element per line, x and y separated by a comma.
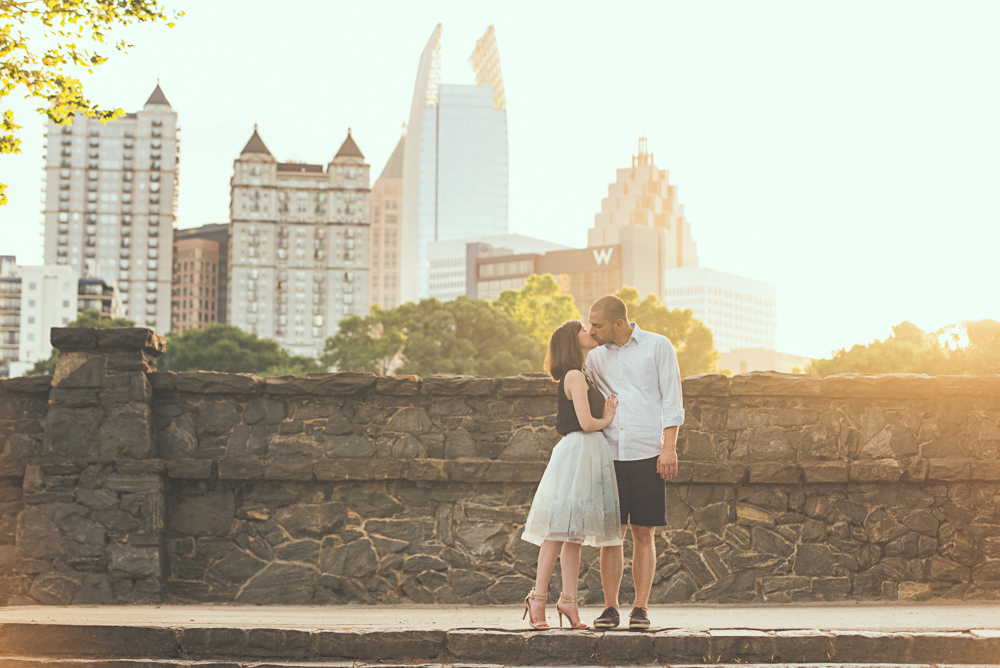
<point>387,209</point>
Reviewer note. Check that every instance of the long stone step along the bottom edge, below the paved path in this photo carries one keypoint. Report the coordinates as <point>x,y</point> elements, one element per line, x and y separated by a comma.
<point>238,646</point>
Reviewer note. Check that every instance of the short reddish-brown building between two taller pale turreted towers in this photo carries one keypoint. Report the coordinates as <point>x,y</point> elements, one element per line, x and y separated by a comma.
<point>196,284</point>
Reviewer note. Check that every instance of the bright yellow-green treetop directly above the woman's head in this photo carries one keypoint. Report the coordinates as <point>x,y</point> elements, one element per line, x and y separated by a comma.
<point>538,307</point>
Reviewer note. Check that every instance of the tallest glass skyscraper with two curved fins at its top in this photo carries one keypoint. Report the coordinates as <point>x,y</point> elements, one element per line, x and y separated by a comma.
<point>455,167</point>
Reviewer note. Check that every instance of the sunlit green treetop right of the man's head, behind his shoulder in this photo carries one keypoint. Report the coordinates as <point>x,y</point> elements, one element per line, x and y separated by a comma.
<point>691,338</point>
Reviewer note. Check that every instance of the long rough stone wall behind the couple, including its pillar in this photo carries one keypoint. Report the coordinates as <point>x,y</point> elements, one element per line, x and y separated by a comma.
<point>121,484</point>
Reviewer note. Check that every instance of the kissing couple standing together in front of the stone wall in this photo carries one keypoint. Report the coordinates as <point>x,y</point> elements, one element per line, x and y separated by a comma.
<point>619,410</point>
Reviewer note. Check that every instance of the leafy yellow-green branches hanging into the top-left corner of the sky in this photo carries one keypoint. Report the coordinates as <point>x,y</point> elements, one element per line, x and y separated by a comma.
<point>72,30</point>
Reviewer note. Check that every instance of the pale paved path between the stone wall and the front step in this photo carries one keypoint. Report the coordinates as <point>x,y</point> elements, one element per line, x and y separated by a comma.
<point>850,616</point>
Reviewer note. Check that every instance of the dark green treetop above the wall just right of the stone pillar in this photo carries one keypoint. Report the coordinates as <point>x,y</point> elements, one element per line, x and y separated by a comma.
<point>219,347</point>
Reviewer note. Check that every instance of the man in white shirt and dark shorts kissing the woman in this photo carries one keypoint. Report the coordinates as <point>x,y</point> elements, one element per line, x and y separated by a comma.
<point>640,368</point>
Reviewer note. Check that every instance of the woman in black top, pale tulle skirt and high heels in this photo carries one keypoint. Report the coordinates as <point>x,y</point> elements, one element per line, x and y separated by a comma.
<point>576,502</point>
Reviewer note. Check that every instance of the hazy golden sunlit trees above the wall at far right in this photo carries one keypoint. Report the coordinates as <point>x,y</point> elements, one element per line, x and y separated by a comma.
<point>912,350</point>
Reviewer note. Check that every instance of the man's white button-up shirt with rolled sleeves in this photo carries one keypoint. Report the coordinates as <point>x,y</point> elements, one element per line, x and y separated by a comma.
<point>645,377</point>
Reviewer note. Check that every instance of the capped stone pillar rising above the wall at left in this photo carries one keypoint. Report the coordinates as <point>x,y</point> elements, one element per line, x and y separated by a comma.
<point>91,528</point>
